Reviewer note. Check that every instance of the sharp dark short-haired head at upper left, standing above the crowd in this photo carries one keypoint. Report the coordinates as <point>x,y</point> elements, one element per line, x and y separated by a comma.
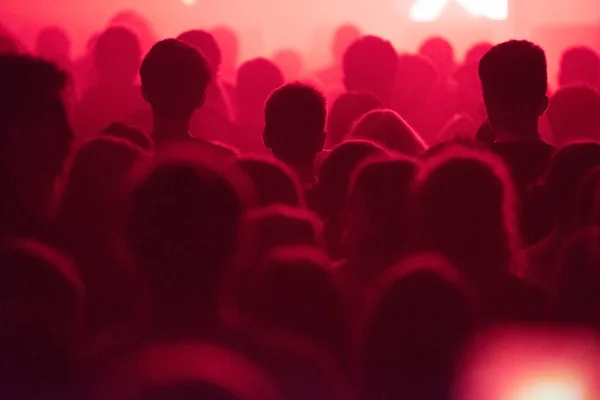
<point>175,77</point>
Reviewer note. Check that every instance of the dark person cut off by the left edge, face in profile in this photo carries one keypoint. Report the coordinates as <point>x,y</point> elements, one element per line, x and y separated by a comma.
<point>35,143</point>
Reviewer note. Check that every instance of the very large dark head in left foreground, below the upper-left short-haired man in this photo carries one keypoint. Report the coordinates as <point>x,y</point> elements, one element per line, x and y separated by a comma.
<point>184,231</point>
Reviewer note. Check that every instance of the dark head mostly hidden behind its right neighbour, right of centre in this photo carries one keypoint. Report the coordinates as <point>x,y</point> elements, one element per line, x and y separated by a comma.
<point>334,179</point>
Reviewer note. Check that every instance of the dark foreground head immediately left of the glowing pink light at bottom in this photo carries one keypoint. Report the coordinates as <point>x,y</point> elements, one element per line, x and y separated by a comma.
<point>420,320</point>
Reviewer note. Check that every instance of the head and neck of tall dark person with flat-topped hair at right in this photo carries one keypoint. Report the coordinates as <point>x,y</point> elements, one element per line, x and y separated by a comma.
<point>515,81</point>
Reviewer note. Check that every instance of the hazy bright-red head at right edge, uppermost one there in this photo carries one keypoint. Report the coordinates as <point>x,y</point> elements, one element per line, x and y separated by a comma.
<point>580,65</point>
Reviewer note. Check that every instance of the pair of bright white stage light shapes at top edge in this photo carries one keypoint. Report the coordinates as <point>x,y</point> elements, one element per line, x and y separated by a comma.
<point>431,10</point>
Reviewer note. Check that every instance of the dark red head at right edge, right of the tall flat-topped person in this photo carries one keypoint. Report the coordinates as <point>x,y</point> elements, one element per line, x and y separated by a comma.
<point>574,114</point>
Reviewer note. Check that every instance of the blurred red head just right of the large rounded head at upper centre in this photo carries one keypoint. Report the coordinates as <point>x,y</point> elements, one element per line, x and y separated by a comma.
<point>414,82</point>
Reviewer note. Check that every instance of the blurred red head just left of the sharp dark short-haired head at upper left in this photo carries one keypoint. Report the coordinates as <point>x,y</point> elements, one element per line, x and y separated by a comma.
<point>117,55</point>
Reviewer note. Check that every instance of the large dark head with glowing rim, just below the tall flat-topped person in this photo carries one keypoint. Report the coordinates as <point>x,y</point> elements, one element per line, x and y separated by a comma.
<point>467,205</point>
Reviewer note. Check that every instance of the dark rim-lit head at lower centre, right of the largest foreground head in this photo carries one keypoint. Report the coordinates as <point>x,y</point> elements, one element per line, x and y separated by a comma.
<point>295,289</point>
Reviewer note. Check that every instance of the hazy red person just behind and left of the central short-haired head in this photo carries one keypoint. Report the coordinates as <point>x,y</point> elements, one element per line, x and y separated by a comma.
<point>256,80</point>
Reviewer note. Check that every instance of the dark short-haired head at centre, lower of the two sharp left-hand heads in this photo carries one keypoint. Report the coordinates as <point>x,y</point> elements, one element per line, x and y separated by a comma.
<point>295,117</point>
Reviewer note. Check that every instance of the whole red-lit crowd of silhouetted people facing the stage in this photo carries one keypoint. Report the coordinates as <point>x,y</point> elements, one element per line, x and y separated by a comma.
<point>175,224</point>
